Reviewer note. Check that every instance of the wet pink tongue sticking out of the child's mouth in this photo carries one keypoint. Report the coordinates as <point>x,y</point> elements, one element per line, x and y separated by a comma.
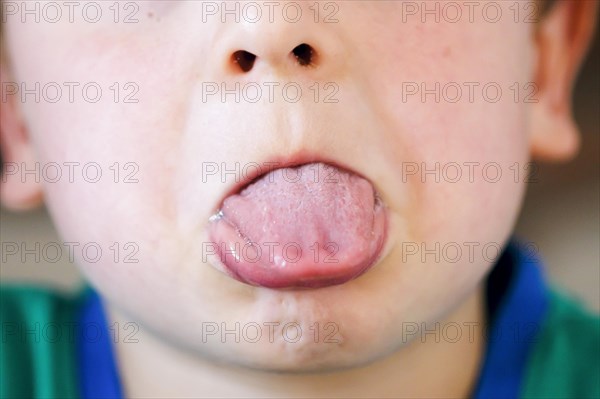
<point>308,226</point>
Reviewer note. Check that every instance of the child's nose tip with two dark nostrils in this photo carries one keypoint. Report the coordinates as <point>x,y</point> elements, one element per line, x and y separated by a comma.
<point>278,43</point>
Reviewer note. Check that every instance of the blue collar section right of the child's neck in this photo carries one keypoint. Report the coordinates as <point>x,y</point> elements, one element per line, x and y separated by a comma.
<point>517,302</point>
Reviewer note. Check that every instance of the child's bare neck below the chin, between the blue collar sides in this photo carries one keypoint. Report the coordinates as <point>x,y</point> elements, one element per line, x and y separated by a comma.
<point>426,367</point>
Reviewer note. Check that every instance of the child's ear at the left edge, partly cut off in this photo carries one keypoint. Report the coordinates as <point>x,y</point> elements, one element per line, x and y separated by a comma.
<point>18,191</point>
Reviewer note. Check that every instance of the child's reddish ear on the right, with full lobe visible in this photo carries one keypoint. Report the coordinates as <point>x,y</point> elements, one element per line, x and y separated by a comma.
<point>562,39</point>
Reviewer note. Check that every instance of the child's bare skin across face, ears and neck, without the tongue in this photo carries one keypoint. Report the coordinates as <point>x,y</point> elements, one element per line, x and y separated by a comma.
<point>369,53</point>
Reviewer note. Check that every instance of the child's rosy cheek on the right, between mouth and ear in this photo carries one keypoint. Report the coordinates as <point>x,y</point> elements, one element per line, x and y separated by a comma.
<point>454,99</point>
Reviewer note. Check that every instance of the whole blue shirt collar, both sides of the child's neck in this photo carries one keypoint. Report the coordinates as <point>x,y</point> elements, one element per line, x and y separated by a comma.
<point>516,301</point>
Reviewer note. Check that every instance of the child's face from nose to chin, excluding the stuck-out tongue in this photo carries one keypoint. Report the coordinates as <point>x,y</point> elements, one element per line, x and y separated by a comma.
<point>434,162</point>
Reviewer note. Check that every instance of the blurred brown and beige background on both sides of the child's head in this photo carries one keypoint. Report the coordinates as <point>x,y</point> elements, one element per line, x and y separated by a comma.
<point>561,213</point>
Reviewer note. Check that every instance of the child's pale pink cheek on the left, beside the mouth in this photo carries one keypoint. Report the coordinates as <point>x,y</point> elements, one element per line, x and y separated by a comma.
<point>116,146</point>
